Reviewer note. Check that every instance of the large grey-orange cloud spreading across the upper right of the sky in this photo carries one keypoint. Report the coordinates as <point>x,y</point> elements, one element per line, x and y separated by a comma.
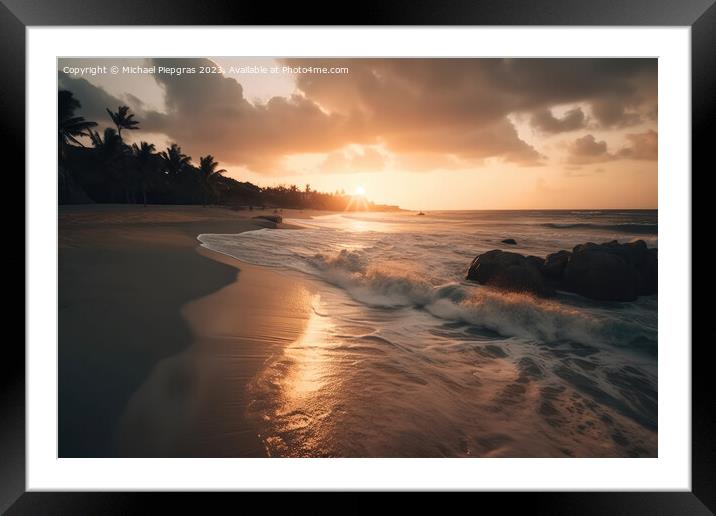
<point>459,107</point>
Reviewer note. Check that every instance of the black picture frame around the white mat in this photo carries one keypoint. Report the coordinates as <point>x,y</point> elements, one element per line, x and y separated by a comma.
<point>17,15</point>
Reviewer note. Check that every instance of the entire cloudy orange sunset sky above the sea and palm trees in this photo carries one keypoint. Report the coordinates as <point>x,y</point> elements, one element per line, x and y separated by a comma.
<point>421,133</point>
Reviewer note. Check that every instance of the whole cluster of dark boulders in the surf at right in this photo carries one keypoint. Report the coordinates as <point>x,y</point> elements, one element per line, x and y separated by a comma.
<point>605,272</point>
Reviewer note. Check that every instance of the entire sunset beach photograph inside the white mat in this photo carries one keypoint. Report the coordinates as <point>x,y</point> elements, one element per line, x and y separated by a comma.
<point>357,257</point>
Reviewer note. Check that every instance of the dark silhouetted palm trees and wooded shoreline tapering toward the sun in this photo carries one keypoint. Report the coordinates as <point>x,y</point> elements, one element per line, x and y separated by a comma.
<point>109,170</point>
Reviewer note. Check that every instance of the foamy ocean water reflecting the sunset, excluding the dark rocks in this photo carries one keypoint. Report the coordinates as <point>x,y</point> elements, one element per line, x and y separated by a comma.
<point>401,357</point>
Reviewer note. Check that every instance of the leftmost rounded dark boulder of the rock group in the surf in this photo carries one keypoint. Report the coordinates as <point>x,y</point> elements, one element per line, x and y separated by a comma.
<point>508,271</point>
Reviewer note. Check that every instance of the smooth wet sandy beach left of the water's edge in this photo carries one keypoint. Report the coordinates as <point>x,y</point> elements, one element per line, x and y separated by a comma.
<point>160,336</point>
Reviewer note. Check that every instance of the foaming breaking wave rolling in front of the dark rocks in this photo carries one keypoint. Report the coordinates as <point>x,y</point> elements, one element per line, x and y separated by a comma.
<point>508,314</point>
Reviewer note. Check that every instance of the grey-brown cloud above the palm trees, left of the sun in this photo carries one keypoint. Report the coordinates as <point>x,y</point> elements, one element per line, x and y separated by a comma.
<point>209,113</point>
